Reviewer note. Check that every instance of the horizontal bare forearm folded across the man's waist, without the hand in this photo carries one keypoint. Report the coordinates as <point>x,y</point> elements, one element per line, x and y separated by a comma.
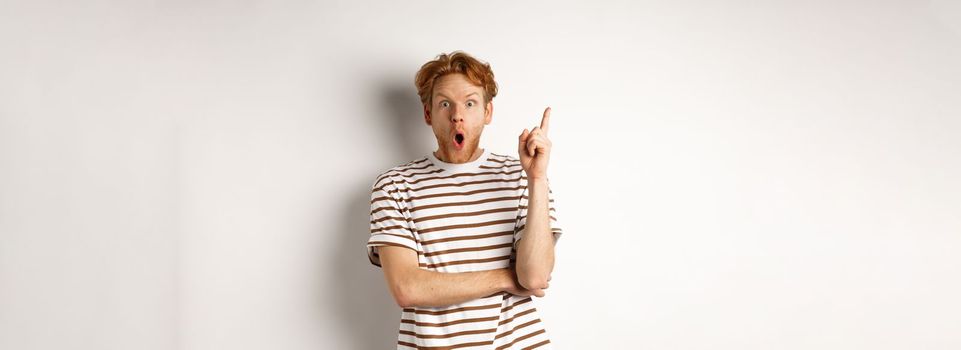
<point>437,289</point>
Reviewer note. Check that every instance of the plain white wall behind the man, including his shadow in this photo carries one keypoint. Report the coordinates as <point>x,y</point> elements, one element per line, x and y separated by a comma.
<point>729,175</point>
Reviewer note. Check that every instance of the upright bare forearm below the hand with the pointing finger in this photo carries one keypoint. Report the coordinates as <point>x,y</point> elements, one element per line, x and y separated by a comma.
<point>535,251</point>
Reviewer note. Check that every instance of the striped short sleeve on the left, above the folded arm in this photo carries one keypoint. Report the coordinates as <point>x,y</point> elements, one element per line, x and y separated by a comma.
<point>389,223</point>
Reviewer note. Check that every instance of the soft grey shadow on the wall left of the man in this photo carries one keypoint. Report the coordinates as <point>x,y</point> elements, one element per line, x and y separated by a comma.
<point>363,305</point>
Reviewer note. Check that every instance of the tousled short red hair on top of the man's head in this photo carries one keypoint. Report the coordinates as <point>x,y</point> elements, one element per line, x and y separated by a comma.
<point>457,62</point>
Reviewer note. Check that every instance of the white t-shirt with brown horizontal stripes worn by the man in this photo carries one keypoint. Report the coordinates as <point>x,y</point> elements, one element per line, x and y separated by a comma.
<point>459,218</point>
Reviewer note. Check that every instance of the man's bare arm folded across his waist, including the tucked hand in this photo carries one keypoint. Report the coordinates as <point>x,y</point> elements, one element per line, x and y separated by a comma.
<point>412,286</point>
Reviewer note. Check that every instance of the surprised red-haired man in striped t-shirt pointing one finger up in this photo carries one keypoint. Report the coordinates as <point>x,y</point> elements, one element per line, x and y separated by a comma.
<point>465,236</point>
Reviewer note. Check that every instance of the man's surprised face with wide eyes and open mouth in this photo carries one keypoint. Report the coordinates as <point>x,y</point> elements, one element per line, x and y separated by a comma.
<point>457,114</point>
